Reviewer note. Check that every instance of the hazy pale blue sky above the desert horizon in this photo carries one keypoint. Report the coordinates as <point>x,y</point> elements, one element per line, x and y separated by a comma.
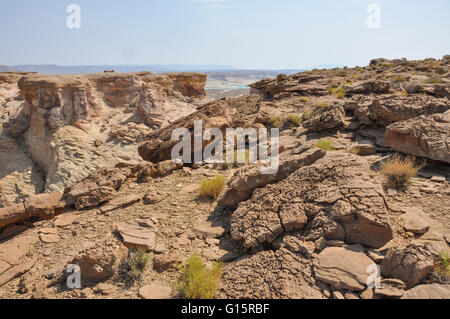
<point>269,34</point>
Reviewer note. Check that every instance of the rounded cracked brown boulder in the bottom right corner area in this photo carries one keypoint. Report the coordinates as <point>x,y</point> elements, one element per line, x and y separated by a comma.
<point>411,264</point>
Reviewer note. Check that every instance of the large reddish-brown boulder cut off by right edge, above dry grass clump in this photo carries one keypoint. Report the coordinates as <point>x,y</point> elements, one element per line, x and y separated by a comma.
<point>425,136</point>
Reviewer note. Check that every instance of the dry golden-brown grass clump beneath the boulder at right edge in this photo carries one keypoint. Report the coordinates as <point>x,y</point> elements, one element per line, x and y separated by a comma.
<point>399,170</point>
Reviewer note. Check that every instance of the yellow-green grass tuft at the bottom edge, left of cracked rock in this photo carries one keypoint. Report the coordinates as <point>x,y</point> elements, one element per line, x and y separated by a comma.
<point>199,282</point>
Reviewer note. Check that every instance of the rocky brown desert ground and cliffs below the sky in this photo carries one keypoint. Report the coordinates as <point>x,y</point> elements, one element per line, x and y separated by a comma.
<point>86,179</point>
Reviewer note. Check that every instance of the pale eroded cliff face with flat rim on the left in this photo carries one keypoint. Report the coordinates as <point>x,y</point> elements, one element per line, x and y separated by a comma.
<point>57,129</point>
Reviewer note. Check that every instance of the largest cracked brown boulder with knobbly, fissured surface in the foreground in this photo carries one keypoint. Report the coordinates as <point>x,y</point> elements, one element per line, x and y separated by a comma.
<point>334,198</point>
